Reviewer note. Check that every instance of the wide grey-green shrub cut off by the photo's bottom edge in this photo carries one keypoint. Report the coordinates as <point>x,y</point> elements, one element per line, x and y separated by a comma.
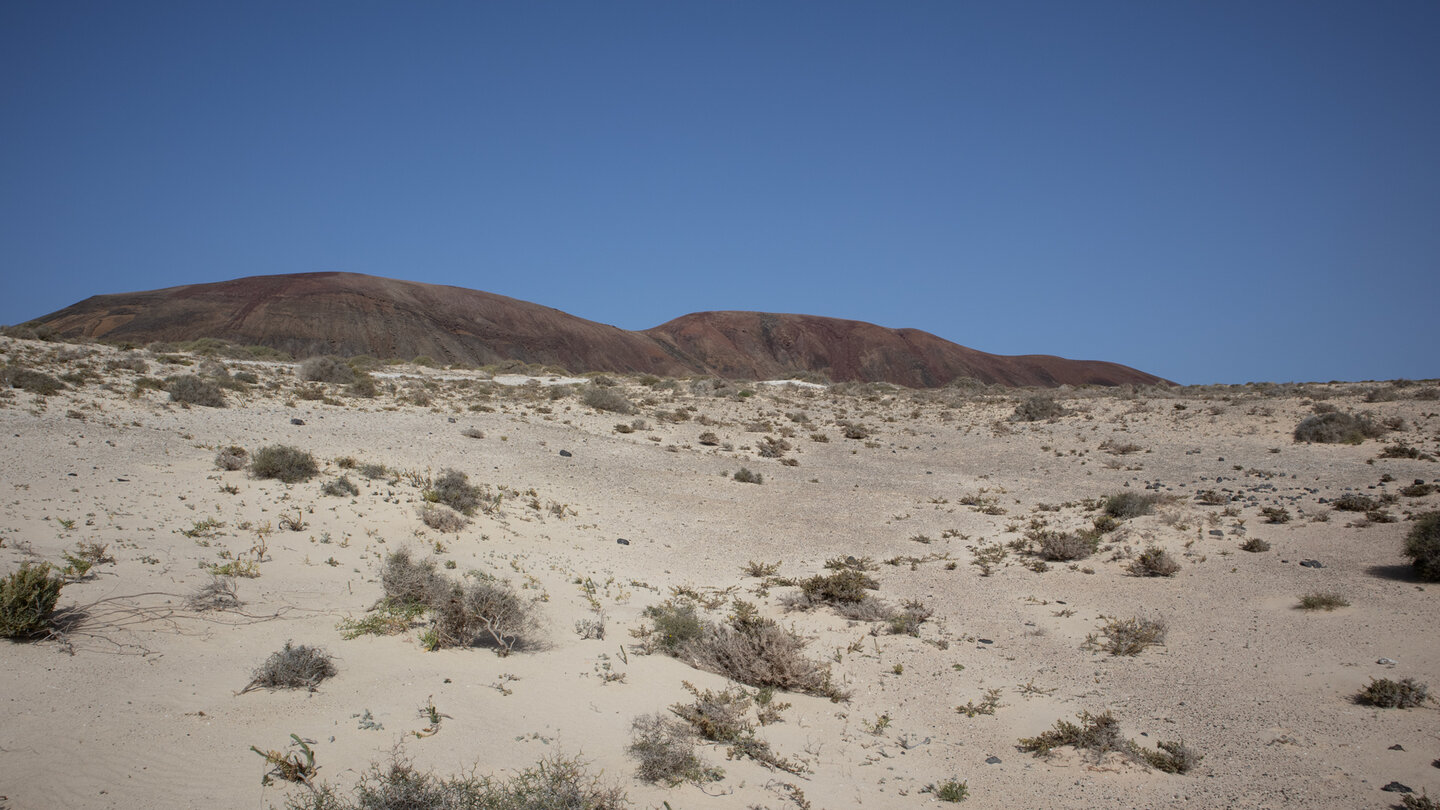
<point>557,783</point>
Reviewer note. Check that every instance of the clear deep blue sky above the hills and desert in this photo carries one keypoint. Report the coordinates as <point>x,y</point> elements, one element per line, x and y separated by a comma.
<point>1212,191</point>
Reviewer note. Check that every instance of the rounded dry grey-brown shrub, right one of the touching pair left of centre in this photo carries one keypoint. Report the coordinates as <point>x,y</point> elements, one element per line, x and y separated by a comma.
<point>486,612</point>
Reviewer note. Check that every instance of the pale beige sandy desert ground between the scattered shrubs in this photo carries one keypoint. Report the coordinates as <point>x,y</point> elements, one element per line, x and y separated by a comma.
<point>138,698</point>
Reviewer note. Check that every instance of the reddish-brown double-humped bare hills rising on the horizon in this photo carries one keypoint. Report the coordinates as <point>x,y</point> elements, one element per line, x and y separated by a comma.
<point>346,313</point>
